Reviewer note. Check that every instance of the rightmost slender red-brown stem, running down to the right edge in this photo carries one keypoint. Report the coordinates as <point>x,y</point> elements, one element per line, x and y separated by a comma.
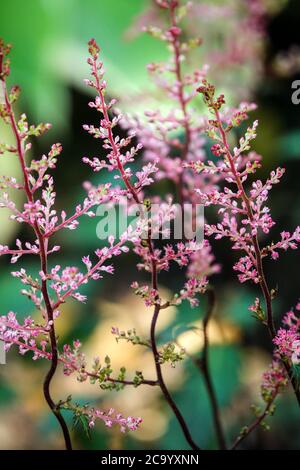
<point>259,262</point>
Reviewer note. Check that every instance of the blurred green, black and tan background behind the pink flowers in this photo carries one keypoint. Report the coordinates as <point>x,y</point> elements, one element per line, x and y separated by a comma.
<point>48,60</point>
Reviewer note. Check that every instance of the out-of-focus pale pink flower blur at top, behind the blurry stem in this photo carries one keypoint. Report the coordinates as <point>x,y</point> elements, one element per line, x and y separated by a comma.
<point>227,59</point>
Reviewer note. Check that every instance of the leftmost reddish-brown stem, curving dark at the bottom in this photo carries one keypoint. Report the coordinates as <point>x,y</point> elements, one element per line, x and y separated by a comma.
<point>43,263</point>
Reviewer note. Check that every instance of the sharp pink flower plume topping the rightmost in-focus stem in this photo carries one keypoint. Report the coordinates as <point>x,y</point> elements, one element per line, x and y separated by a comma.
<point>244,215</point>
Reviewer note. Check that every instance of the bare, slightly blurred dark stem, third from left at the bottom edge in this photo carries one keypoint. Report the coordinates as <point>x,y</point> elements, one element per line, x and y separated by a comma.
<point>203,364</point>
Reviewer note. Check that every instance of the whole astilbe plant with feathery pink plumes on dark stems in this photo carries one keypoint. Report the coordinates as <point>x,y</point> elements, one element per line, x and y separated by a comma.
<point>173,149</point>
